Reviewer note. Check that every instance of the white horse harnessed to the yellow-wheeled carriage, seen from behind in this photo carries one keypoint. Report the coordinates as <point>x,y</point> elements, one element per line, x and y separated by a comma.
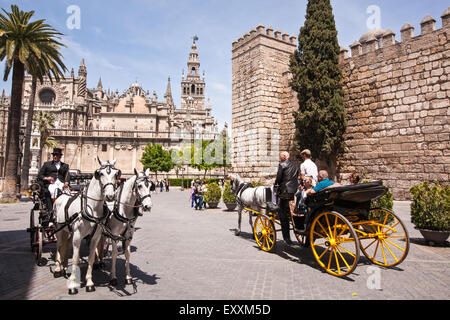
<point>246,196</point>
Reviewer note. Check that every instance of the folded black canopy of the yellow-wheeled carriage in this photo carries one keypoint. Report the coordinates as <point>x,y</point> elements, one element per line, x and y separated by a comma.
<point>360,193</point>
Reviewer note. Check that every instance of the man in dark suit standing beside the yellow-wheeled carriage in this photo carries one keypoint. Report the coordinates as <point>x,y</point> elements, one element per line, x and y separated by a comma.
<point>286,185</point>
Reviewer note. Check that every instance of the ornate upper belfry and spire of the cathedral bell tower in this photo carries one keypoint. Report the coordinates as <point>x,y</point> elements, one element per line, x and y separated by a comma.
<point>193,87</point>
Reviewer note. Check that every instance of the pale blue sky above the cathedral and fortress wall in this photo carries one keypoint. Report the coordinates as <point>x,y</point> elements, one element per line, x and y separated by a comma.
<point>148,41</point>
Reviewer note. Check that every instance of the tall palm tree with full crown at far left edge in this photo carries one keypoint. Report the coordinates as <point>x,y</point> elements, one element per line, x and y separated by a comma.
<point>26,46</point>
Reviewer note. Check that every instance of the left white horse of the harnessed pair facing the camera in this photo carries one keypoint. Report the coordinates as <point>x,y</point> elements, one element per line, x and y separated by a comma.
<point>81,216</point>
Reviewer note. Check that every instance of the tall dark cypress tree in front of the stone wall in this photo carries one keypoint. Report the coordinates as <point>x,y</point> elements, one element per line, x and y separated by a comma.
<point>316,77</point>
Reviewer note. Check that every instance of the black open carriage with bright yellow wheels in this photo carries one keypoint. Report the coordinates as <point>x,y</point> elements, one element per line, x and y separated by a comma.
<point>337,224</point>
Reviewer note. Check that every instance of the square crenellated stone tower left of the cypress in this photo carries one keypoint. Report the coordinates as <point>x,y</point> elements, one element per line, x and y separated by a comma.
<point>261,99</point>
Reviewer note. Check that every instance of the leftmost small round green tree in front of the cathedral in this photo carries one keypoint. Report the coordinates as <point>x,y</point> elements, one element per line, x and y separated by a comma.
<point>156,159</point>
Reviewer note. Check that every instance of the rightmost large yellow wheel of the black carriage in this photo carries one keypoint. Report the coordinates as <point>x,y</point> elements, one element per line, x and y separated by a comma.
<point>385,240</point>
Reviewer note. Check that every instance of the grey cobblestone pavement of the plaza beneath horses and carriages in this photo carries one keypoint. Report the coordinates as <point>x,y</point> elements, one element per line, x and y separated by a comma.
<point>181,253</point>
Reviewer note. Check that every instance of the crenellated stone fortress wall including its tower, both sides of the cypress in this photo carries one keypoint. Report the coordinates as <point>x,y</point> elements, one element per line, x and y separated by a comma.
<point>397,97</point>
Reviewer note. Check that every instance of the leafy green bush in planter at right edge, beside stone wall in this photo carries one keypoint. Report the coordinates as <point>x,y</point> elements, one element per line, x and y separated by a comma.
<point>430,208</point>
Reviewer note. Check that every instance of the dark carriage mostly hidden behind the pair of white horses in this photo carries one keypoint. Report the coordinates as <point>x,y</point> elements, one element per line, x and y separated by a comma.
<point>42,223</point>
